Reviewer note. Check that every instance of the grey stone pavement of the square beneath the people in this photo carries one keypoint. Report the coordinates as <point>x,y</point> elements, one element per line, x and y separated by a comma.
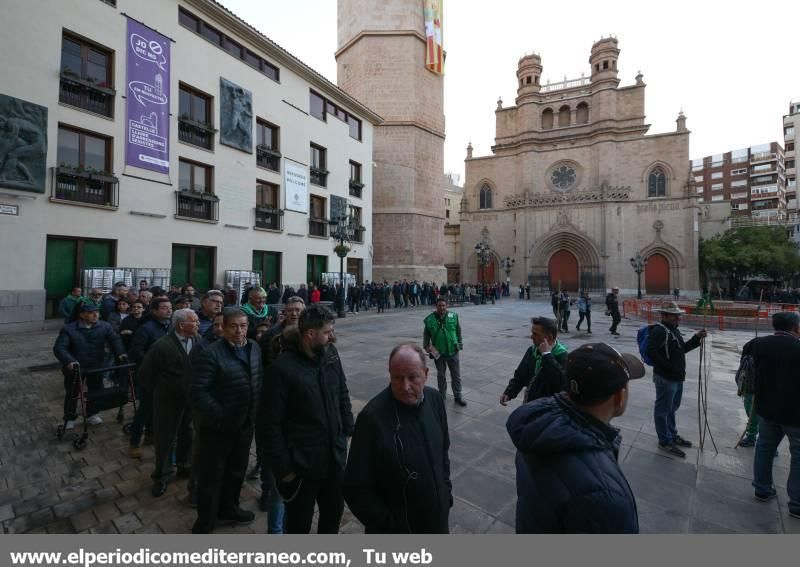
<point>47,486</point>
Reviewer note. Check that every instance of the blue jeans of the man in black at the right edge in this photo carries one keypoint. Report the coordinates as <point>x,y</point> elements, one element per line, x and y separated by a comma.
<point>770,434</point>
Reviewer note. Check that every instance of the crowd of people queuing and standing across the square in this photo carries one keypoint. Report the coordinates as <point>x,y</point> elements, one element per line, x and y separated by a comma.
<point>212,378</point>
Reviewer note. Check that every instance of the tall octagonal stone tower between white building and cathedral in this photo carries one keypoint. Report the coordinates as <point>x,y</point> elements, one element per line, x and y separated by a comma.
<point>381,62</point>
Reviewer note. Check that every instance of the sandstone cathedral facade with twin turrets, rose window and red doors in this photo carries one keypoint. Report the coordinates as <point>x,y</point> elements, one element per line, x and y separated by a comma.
<point>575,188</point>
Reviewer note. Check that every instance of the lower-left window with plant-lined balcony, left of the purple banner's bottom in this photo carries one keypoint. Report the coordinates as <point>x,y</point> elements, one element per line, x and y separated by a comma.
<point>83,174</point>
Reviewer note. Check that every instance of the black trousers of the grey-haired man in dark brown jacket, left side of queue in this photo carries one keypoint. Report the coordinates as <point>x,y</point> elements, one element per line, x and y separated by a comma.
<point>172,427</point>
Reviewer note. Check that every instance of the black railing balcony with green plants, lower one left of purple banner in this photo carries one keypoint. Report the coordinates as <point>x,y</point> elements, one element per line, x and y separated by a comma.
<point>80,187</point>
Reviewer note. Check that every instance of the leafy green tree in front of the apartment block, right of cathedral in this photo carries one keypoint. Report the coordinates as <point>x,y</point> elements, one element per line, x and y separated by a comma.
<point>751,251</point>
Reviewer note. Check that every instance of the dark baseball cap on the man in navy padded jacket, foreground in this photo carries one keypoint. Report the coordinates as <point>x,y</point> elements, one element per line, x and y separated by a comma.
<point>596,371</point>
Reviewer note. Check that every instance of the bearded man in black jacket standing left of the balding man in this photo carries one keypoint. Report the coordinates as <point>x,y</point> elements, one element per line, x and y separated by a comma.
<point>310,418</point>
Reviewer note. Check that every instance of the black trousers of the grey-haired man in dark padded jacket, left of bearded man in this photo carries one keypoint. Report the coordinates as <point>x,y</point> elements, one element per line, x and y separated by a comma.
<point>222,462</point>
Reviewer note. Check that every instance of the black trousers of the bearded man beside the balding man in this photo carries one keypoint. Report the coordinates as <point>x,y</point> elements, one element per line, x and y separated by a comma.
<point>325,493</point>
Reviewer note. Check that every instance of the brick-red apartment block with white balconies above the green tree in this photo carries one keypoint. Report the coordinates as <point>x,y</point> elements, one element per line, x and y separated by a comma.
<point>753,180</point>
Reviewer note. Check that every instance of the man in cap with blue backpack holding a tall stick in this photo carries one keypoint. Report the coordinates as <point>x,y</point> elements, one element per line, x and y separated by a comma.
<point>667,350</point>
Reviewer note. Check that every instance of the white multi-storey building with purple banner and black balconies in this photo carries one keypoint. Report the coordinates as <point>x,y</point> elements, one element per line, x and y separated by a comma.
<point>81,181</point>
